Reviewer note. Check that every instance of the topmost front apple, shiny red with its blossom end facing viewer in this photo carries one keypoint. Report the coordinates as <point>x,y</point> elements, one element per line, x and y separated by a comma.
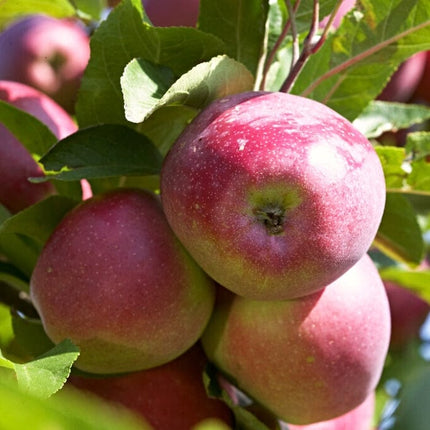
<point>274,195</point>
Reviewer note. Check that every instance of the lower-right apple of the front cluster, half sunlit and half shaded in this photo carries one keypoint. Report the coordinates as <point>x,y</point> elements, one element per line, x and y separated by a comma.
<point>309,359</point>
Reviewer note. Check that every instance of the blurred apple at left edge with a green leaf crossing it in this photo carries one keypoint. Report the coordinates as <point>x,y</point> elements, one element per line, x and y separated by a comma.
<point>16,163</point>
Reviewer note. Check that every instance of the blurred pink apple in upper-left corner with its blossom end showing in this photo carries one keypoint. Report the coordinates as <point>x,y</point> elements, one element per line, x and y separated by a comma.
<point>46,53</point>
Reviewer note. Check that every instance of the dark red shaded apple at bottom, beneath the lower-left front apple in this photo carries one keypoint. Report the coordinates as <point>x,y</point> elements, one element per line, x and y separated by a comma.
<point>171,396</point>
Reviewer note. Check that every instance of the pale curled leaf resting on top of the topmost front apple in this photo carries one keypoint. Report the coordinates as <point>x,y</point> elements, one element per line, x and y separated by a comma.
<point>197,88</point>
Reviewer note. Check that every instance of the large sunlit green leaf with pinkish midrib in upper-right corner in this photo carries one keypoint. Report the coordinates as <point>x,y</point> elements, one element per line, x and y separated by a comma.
<point>355,63</point>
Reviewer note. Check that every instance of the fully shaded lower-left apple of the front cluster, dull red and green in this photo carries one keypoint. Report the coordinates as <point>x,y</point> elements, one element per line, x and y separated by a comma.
<point>115,280</point>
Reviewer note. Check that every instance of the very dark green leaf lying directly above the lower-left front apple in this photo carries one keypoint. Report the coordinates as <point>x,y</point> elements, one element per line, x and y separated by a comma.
<point>101,152</point>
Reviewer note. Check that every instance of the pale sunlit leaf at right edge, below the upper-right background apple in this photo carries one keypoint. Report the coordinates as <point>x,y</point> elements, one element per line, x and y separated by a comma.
<point>379,117</point>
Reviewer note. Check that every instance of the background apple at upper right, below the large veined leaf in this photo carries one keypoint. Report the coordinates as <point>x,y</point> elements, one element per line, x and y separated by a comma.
<point>405,79</point>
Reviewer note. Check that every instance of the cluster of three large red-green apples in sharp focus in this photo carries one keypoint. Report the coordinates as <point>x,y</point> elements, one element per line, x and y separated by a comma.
<point>255,253</point>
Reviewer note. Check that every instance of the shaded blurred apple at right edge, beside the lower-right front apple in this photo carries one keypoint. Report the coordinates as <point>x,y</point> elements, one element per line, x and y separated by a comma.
<point>408,313</point>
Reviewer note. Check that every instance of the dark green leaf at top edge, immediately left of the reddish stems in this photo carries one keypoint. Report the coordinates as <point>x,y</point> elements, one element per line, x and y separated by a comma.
<point>240,24</point>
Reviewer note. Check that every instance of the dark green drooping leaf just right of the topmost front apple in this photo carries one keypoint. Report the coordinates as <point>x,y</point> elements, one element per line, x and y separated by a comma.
<point>399,234</point>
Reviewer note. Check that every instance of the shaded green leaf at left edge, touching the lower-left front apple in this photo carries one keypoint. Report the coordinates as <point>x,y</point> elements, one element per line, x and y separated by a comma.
<point>38,221</point>
